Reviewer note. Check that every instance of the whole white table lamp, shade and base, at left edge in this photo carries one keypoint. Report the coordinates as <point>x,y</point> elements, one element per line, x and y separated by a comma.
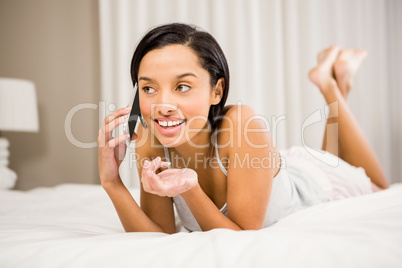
<point>18,112</point>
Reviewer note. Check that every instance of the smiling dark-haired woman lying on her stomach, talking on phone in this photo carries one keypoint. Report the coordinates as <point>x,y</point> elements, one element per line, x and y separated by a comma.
<point>216,162</point>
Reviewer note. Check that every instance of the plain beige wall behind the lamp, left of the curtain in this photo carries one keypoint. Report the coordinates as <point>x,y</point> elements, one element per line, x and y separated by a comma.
<point>54,43</point>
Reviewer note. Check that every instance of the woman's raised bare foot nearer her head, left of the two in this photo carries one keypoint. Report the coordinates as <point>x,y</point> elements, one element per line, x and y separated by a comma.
<point>323,74</point>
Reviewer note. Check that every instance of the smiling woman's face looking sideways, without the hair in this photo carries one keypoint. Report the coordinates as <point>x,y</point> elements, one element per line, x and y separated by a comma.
<point>175,94</point>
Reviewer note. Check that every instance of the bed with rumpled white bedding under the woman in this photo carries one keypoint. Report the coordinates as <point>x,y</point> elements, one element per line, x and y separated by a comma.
<point>75,225</point>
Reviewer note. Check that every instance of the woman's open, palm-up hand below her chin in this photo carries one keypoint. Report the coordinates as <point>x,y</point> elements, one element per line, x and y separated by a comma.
<point>169,182</point>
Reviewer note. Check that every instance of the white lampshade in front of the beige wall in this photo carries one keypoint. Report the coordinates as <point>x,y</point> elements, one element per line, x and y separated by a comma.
<point>18,105</point>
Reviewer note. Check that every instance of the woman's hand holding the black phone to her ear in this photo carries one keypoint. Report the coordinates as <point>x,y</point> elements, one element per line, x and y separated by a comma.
<point>111,150</point>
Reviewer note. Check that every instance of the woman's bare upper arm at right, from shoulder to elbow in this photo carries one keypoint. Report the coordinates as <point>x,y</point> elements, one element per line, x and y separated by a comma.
<point>246,142</point>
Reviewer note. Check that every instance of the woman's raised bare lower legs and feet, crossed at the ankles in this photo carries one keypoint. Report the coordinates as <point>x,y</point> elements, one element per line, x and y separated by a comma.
<point>334,76</point>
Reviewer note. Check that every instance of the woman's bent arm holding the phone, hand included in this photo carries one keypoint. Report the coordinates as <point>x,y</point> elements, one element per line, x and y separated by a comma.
<point>111,152</point>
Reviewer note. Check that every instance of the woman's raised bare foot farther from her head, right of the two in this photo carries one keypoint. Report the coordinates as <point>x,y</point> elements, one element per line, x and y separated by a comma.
<point>345,68</point>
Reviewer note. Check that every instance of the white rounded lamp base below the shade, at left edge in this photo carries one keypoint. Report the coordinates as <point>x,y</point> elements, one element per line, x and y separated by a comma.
<point>7,176</point>
